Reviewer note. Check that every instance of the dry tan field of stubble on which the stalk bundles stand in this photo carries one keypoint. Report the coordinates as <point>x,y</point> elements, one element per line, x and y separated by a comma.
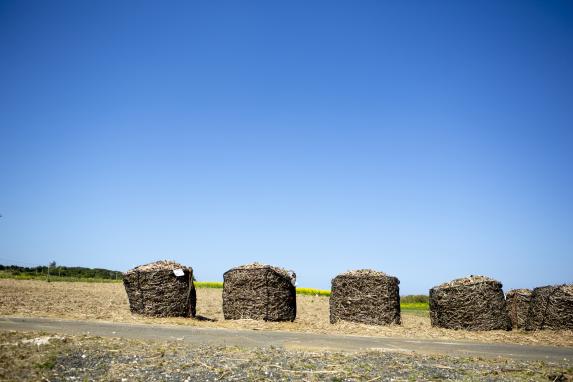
<point>108,302</point>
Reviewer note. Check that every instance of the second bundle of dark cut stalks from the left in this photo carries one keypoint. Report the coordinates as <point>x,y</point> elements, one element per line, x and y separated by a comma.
<point>259,292</point>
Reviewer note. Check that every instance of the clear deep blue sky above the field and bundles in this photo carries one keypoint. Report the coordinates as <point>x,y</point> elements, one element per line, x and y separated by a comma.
<point>429,140</point>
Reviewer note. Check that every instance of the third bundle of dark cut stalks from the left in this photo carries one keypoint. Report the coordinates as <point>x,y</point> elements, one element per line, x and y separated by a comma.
<point>365,296</point>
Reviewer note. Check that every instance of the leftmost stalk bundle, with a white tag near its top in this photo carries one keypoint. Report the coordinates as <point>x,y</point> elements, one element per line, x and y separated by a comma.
<point>161,289</point>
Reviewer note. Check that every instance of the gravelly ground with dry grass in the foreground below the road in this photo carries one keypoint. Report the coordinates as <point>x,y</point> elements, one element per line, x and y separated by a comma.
<point>38,356</point>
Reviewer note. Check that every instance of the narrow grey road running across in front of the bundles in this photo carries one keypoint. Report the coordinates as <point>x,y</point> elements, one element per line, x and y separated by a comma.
<point>287,340</point>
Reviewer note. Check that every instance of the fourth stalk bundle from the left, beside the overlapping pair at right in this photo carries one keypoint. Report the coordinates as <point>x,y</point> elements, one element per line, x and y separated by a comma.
<point>471,303</point>
